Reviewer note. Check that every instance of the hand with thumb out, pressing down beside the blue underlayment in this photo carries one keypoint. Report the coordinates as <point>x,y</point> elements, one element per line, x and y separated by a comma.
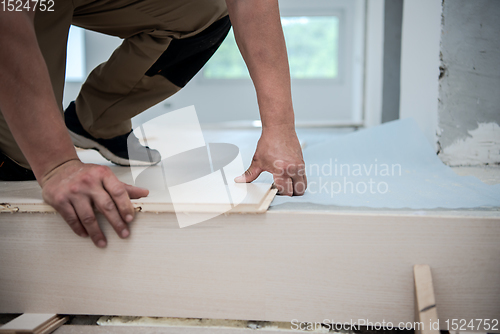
<point>279,153</point>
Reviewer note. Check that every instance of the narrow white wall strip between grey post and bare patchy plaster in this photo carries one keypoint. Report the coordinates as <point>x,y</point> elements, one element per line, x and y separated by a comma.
<point>420,64</point>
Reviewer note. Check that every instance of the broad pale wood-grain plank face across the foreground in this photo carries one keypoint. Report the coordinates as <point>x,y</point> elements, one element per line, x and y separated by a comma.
<point>276,266</point>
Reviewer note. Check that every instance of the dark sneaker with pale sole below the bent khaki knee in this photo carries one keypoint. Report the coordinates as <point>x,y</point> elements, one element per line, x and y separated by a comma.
<point>115,149</point>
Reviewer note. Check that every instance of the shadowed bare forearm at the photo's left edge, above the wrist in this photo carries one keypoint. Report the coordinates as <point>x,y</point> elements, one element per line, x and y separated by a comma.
<point>27,99</point>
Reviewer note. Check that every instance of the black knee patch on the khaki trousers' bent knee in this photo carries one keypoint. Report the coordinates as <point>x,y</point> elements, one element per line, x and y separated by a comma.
<point>185,57</point>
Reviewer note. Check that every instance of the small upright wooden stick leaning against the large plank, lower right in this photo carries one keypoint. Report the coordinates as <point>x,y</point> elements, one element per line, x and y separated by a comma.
<point>425,301</point>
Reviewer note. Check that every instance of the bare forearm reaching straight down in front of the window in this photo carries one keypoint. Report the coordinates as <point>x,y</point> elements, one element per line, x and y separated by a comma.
<point>259,35</point>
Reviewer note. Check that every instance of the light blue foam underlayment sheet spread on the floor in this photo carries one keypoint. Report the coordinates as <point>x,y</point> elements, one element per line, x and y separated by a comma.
<point>341,171</point>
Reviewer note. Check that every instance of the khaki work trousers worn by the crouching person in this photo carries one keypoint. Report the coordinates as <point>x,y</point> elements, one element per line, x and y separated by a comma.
<point>131,80</point>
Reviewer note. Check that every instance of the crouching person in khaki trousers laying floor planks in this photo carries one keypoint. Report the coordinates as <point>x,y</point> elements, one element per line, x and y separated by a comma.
<point>165,44</point>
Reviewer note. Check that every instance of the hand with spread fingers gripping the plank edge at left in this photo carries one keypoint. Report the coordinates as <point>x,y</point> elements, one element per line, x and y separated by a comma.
<point>74,188</point>
